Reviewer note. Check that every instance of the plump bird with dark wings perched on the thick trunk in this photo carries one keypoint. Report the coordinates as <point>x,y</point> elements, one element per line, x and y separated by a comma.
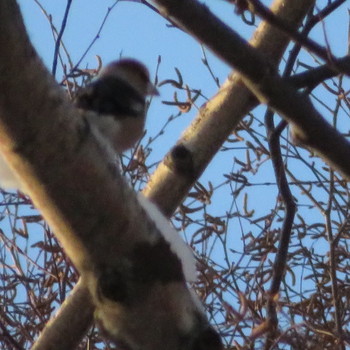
<point>118,98</point>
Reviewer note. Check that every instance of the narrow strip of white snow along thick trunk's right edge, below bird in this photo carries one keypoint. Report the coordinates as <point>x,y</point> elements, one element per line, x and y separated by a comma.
<point>177,245</point>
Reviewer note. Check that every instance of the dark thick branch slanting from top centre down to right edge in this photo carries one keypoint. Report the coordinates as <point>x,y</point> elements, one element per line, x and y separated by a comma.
<point>308,126</point>
